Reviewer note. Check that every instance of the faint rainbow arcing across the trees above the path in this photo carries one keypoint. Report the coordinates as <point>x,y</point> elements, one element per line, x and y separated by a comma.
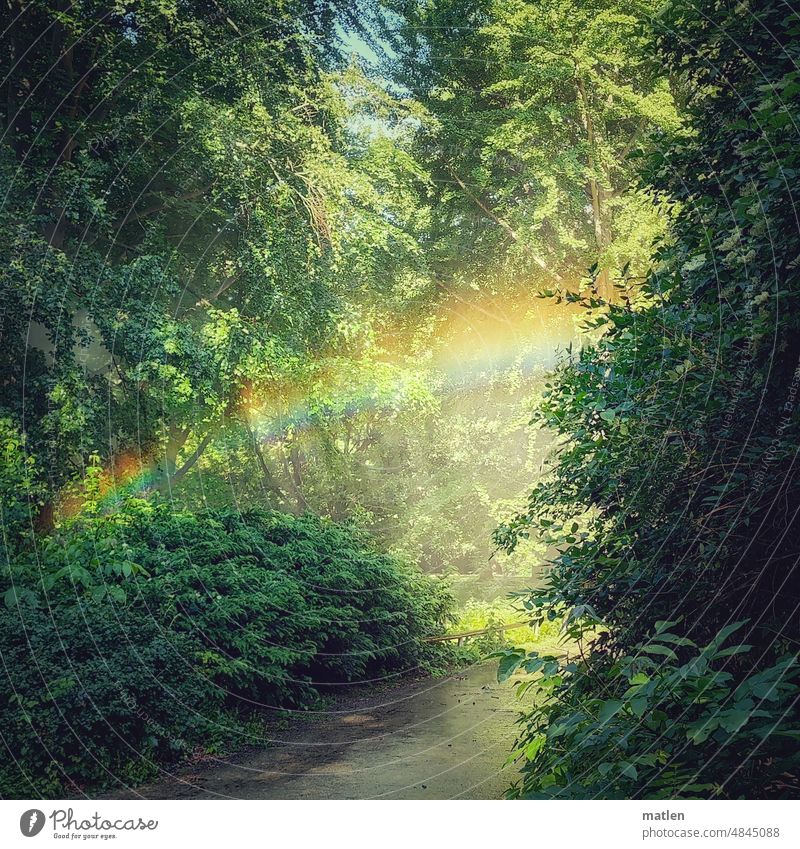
<point>476,340</point>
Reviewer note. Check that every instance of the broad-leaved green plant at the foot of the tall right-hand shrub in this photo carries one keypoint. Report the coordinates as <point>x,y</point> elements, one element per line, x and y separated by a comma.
<point>714,722</point>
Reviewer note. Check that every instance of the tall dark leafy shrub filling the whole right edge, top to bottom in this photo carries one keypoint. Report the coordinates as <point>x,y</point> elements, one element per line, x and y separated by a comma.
<point>675,493</point>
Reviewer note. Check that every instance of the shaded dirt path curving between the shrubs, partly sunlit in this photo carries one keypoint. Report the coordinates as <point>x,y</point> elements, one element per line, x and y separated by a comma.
<point>438,738</point>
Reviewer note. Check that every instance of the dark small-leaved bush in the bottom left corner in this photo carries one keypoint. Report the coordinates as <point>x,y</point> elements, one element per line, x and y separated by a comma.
<point>94,693</point>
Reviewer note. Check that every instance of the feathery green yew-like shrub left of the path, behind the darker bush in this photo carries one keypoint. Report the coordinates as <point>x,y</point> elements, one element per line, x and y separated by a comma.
<point>281,602</point>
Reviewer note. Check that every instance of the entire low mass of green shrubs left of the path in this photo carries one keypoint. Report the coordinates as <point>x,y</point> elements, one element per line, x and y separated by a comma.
<point>130,637</point>
